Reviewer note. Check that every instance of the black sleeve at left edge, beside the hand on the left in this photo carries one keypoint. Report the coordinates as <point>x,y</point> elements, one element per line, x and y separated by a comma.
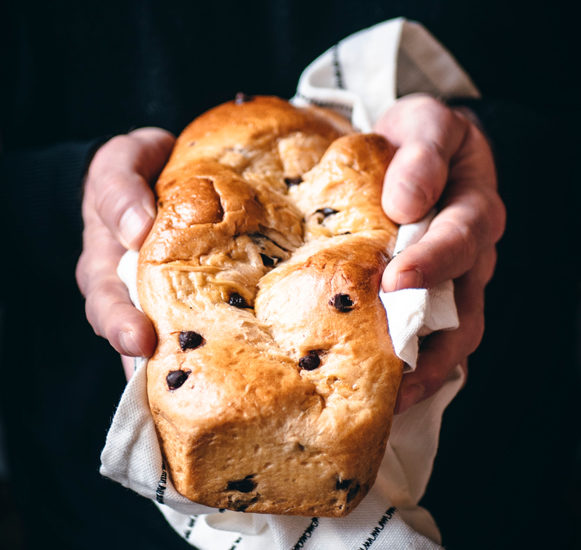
<point>42,189</point>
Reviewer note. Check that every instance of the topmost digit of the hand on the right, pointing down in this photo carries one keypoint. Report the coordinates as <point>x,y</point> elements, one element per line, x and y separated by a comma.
<point>428,134</point>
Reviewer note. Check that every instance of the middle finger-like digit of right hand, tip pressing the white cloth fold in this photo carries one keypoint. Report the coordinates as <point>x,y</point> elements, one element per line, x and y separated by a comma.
<point>471,220</point>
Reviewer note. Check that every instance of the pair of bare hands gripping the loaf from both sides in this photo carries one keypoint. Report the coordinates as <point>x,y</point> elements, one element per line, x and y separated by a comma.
<point>442,158</point>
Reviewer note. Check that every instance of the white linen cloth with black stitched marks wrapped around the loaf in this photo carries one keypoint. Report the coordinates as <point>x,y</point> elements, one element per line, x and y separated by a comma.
<point>361,76</point>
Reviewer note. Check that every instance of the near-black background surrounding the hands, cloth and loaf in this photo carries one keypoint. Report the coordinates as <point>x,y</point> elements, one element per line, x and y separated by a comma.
<point>508,471</point>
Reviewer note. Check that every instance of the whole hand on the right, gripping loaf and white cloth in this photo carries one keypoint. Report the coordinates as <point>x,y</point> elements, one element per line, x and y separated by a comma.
<point>444,159</point>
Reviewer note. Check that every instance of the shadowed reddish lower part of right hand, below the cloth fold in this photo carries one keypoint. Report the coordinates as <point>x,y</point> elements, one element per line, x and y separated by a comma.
<point>442,351</point>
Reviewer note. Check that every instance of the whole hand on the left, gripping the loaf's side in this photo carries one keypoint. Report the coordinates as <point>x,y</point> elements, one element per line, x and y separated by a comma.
<point>118,212</point>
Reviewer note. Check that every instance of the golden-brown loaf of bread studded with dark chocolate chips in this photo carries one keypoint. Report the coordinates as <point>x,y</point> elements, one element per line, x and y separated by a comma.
<point>274,380</point>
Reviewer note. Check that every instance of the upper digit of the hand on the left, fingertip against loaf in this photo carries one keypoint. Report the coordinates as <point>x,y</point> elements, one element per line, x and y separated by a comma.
<point>119,182</point>
